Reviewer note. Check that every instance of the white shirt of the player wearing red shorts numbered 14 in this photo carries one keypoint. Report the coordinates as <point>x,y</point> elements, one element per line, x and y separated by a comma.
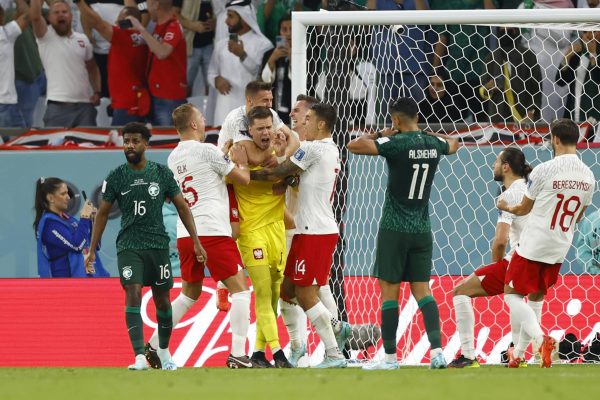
<point>320,161</point>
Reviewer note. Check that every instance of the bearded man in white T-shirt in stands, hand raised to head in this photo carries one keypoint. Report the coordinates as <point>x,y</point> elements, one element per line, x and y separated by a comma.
<point>73,76</point>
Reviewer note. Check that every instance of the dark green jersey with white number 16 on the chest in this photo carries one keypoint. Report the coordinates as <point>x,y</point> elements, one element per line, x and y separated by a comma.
<point>141,195</point>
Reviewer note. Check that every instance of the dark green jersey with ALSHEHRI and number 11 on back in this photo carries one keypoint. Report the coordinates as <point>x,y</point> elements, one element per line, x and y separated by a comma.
<point>412,159</point>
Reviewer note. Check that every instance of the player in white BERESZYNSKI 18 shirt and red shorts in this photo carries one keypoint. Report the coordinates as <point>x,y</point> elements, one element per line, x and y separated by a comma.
<point>557,195</point>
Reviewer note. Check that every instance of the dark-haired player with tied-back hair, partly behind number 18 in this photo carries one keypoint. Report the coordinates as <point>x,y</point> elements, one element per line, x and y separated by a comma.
<point>511,169</point>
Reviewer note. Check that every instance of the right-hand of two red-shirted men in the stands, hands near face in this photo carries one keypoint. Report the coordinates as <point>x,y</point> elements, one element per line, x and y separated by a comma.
<point>167,63</point>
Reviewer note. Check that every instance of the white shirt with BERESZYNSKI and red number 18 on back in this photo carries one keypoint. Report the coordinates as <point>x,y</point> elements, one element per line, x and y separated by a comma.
<point>560,187</point>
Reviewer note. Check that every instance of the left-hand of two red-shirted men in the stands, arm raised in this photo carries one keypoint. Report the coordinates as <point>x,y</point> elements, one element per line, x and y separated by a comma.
<point>127,60</point>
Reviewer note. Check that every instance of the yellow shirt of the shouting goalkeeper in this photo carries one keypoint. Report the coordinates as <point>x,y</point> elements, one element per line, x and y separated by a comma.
<point>257,204</point>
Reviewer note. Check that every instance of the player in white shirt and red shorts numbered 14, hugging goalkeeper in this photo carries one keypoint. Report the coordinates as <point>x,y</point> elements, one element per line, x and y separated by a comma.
<point>309,261</point>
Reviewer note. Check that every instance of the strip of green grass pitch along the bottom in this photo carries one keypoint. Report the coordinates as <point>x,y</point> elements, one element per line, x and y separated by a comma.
<point>486,383</point>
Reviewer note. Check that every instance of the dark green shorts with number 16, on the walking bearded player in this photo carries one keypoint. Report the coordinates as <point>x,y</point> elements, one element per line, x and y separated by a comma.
<point>145,267</point>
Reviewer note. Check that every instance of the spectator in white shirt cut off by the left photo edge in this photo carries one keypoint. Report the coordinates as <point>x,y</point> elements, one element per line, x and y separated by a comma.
<point>10,115</point>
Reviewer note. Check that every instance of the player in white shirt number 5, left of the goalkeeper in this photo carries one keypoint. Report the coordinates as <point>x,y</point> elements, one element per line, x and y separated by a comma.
<point>199,169</point>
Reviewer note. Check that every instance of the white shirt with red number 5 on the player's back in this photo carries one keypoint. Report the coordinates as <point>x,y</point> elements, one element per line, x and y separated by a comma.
<point>199,169</point>
